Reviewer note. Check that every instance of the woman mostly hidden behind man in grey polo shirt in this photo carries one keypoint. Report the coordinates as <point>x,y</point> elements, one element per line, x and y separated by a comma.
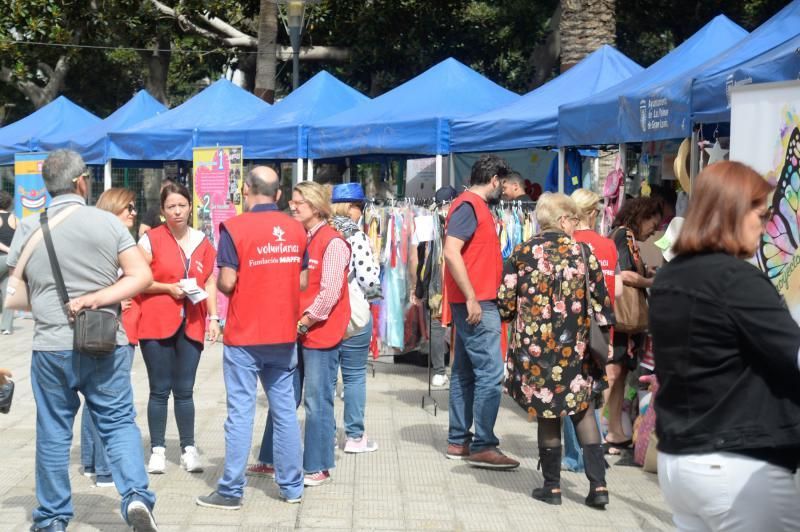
<point>121,202</point>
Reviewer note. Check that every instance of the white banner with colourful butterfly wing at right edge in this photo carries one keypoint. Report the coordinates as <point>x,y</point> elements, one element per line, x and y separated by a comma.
<point>765,134</point>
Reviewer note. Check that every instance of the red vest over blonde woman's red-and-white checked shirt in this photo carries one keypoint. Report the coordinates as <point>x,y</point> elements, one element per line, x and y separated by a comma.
<point>328,333</point>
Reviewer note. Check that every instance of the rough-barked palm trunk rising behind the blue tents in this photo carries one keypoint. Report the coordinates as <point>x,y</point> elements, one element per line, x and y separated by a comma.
<point>585,26</point>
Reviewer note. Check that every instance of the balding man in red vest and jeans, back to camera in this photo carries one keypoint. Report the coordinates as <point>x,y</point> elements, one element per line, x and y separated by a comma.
<point>260,257</point>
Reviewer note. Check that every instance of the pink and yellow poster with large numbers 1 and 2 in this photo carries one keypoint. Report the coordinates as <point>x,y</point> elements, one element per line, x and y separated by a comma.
<point>217,185</point>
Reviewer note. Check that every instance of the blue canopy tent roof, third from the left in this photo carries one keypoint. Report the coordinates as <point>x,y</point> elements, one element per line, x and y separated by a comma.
<point>171,135</point>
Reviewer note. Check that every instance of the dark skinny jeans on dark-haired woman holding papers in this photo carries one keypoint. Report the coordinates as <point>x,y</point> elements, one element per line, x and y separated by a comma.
<point>171,368</point>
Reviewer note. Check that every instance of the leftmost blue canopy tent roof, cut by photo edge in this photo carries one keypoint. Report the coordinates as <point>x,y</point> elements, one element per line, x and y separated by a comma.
<point>30,133</point>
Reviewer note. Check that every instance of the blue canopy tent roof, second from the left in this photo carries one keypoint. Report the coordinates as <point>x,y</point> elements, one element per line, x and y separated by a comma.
<point>92,141</point>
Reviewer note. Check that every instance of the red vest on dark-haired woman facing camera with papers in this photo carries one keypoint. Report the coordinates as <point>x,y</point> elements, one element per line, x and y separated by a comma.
<point>161,313</point>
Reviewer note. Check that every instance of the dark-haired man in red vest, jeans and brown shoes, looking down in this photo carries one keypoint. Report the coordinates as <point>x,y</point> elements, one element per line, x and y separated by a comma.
<point>474,267</point>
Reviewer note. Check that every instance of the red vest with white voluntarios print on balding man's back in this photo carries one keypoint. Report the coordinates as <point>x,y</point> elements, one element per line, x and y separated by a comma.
<point>265,303</point>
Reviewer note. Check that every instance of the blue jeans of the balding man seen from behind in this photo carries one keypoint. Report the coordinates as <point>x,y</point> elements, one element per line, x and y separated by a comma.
<point>242,366</point>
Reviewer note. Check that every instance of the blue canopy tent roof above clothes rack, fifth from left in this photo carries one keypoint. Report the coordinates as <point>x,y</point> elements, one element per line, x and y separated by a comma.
<point>412,119</point>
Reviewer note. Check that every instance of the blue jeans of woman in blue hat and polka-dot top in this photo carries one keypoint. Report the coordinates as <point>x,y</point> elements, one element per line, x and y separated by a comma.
<point>353,354</point>
